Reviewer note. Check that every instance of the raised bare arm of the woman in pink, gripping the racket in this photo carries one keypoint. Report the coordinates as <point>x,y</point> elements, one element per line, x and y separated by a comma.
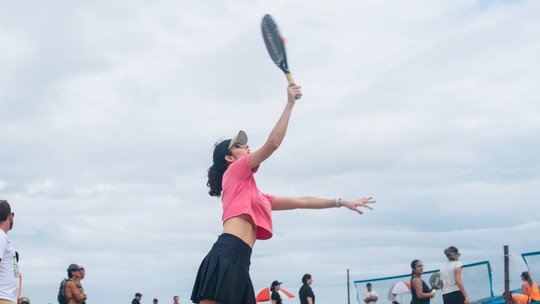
<point>278,132</point>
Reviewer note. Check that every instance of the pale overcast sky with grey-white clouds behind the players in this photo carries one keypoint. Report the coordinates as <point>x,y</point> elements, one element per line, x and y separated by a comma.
<point>109,111</point>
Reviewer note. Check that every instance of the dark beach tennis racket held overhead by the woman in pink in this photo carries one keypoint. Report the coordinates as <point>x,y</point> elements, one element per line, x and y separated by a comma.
<point>275,45</point>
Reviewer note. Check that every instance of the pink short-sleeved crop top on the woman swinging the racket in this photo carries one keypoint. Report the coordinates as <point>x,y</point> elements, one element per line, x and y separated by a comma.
<point>240,196</point>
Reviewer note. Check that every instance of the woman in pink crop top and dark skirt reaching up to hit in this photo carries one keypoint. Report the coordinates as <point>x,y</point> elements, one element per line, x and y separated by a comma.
<point>223,275</point>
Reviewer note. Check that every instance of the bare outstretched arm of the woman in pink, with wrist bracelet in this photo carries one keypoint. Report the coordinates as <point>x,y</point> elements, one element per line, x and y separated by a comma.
<point>309,202</point>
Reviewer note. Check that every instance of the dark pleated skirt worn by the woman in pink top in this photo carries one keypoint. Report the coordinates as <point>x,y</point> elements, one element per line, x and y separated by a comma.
<point>224,273</point>
